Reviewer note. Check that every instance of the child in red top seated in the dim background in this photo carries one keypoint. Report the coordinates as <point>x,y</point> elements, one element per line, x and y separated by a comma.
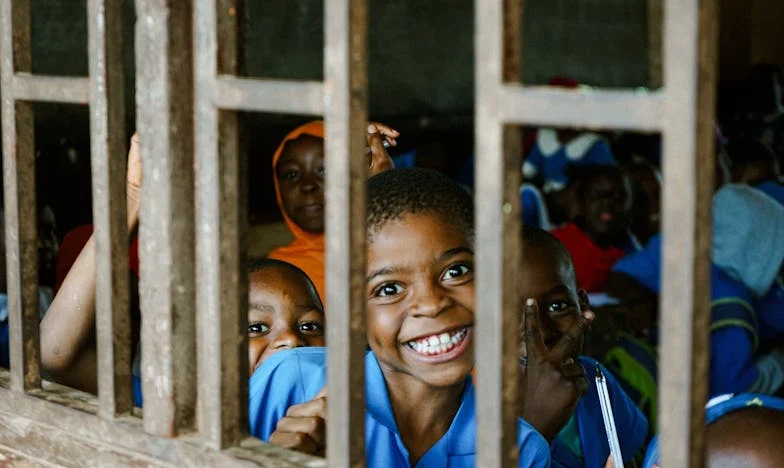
<point>598,236</point>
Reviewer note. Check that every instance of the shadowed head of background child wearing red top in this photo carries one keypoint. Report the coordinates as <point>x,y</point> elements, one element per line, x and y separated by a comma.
<point>604,209</point>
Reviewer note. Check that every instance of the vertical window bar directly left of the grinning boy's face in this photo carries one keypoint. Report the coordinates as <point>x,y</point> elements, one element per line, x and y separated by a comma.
<point>345,72</point>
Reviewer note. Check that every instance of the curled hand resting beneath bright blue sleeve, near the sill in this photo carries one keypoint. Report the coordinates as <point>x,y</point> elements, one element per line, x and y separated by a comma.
<point>303,427</point>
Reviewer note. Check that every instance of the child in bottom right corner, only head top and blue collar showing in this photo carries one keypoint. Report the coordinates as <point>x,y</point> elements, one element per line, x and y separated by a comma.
<point>743,430</point>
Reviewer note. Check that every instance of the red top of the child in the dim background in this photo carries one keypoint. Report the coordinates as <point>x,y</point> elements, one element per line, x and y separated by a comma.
<point>592,264</point>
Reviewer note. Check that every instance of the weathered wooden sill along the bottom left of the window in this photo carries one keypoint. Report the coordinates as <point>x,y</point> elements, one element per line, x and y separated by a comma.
<point>49,422</point>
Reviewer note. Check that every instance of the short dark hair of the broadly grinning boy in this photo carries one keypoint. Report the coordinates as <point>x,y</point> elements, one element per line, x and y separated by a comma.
<point>396,193</point>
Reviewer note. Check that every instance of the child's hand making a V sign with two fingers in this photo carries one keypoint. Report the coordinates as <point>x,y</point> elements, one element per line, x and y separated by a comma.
<point>551,383</point>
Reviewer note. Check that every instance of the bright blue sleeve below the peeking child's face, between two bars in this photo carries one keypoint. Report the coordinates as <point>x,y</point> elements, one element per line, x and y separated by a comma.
<point>285,379</point>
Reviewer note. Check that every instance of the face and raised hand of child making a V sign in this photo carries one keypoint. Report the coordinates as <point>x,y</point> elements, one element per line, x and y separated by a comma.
<point>555,327</point>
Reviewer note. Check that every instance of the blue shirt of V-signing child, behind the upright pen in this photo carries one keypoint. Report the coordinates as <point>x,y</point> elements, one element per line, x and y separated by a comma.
<point>583,442</point>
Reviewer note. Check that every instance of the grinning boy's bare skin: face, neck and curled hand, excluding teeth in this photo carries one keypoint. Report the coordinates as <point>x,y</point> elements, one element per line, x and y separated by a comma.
<point>420,283</point>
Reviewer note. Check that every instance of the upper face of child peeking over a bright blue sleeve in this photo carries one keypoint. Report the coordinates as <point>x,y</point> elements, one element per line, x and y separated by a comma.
<point>284,312</point>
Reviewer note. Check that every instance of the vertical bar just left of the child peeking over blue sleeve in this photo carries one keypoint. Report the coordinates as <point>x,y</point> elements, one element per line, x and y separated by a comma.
<point>220,270</point>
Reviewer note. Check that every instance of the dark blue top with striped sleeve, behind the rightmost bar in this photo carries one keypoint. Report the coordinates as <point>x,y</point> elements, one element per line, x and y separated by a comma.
<point>738,321</point>
